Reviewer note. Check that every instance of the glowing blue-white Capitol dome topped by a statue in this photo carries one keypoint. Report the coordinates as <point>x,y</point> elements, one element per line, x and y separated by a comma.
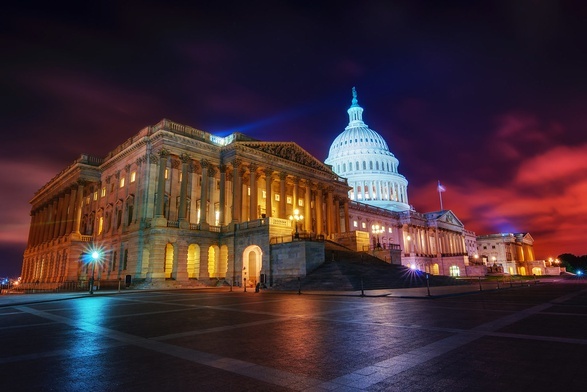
<point>362,156</point>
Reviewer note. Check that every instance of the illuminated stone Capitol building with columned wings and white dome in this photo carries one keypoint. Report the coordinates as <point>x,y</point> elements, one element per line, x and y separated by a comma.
<point>175,202</point>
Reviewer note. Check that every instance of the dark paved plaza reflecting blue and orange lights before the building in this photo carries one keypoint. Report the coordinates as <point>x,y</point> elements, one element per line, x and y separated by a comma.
<point>530,337</point>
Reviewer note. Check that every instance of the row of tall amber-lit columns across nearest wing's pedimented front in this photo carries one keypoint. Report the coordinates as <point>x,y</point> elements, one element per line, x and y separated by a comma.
<point>319,194</point>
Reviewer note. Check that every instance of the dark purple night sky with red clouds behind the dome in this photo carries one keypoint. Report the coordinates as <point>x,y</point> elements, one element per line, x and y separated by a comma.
<point>490,97</point>
